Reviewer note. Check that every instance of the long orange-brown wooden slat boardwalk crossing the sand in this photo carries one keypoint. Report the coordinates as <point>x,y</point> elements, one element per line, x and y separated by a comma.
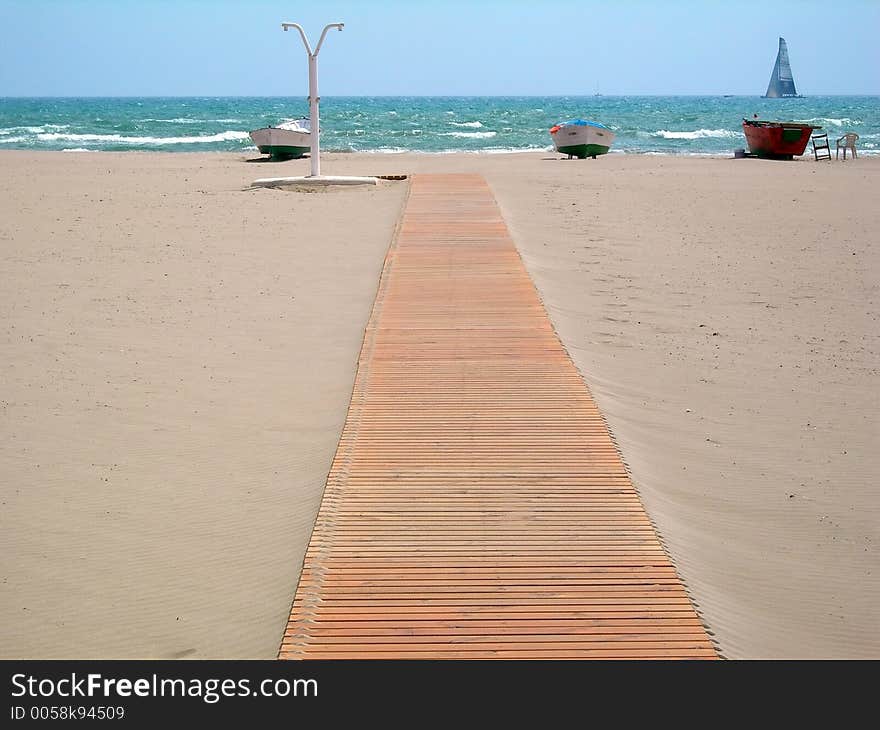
<point>477,506</point>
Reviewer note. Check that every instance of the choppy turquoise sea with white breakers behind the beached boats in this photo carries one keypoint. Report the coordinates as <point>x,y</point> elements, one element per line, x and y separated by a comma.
<point>665,125</point>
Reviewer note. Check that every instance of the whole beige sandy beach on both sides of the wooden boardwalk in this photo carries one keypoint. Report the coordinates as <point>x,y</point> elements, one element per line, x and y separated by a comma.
<point>178,353</point>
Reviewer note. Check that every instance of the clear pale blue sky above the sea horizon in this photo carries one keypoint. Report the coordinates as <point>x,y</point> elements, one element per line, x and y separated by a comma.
<point>436,47</point>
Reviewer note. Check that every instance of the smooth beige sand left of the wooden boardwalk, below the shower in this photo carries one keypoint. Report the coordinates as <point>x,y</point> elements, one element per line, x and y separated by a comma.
<point>177,356</point>
